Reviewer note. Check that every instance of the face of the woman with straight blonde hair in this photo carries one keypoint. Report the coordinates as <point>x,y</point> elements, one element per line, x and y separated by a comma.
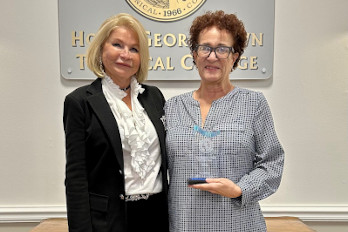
<point>120,54</point>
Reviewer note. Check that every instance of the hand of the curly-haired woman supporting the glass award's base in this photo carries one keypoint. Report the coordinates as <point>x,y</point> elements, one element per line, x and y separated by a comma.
<point>221,186</point>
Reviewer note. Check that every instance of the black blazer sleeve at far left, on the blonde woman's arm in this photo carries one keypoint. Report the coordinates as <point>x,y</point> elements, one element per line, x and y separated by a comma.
<point>77,195</point>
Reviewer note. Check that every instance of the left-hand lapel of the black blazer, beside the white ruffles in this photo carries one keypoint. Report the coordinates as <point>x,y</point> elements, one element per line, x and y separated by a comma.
<point>102,109</point>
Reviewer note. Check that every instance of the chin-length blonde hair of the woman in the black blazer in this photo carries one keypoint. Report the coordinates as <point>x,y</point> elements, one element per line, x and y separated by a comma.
<point>94,51</point>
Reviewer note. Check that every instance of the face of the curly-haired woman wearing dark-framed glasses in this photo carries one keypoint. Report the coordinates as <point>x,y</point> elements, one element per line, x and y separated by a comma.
<point>213,69</point>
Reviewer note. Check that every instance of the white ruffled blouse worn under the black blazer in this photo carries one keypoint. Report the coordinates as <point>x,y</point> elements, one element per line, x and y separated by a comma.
<point>141,149</point>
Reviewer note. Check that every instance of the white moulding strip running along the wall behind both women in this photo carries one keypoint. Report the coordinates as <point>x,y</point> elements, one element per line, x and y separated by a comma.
<point>312,213</point>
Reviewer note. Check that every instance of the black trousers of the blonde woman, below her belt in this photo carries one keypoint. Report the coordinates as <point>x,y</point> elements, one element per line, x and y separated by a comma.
<point>148,215</point>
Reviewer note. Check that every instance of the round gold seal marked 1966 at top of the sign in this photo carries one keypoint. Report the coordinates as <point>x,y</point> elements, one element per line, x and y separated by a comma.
<point>165,10</point>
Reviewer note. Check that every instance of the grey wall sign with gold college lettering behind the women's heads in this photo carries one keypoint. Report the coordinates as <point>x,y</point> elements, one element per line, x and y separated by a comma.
<point>167,23</point>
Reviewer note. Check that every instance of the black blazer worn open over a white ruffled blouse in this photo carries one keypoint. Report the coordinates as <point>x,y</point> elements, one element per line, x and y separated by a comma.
<point>94,158</point>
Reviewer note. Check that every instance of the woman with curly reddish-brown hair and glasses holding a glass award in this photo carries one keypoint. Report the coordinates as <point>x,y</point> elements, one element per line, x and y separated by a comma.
<point>221,138</point>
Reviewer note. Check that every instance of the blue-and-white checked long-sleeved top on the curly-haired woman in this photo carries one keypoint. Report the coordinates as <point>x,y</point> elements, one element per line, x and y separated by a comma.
<point>238,142</point>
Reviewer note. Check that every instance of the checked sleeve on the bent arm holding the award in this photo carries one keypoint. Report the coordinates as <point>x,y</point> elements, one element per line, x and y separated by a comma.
<point>265,178</point>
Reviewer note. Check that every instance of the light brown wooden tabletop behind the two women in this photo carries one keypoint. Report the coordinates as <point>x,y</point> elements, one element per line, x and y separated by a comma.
<point>274,224</point>
